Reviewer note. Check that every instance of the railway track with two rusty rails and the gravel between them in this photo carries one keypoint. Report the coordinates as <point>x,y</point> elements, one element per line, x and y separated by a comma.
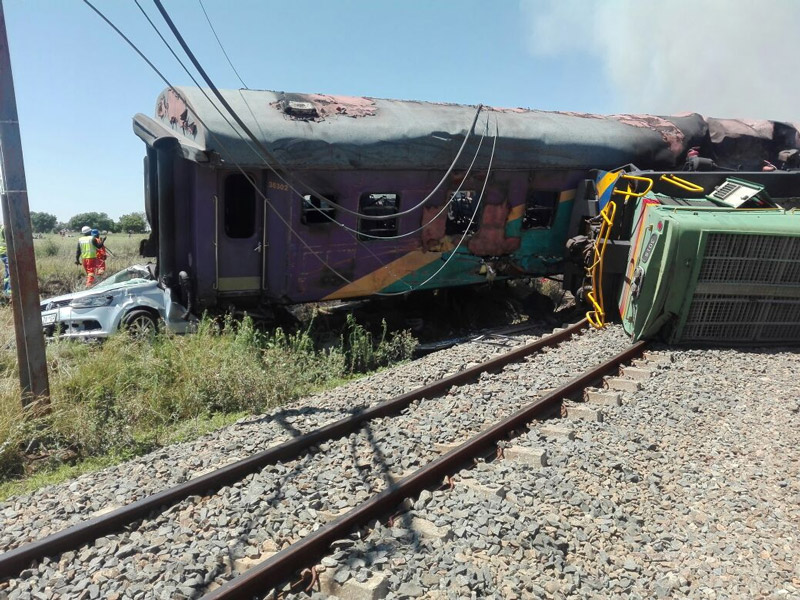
<point>190,502</point>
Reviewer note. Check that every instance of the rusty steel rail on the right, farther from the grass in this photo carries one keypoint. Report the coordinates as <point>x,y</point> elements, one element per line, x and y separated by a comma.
<point>281,567</point>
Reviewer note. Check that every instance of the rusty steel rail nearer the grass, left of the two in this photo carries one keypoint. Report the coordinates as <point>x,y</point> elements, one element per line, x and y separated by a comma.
<point>14,561</point>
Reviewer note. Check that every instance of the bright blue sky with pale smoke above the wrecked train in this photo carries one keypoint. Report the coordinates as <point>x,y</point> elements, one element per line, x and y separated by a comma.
<point>78,84</point>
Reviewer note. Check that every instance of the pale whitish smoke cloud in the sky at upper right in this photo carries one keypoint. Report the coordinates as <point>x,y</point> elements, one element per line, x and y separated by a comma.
<point>721,58</point>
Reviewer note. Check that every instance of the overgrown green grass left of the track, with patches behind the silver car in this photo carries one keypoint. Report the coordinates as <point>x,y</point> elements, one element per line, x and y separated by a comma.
<point>120,399</point>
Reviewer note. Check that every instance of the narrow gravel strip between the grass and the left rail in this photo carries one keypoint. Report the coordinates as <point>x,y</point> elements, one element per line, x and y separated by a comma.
<point>53,508</point>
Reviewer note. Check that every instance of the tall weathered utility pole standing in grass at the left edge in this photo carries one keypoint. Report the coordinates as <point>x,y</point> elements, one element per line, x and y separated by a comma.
<point>22,263</point>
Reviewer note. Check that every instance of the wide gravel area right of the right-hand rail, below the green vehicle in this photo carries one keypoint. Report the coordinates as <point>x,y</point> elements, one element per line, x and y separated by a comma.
<point>689,489</point>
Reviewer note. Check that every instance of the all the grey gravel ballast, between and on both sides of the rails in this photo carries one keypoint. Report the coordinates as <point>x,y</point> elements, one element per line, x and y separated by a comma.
<point>689,488</point>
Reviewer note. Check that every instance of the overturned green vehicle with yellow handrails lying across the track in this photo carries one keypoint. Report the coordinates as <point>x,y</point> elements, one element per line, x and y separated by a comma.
<point>690,257</point>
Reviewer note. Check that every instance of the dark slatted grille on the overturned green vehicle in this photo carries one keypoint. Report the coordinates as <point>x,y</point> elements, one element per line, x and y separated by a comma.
<point>765,270</point>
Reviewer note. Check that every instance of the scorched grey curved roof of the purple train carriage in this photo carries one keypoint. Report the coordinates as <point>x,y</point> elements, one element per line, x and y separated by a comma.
<point>317,131</point>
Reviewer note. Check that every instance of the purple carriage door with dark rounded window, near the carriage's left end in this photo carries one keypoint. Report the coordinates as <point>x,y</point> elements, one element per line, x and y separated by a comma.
<point>241,243</point>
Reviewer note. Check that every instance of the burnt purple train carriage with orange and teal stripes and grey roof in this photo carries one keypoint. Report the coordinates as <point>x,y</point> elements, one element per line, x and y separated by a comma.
<point>343,197</point>
